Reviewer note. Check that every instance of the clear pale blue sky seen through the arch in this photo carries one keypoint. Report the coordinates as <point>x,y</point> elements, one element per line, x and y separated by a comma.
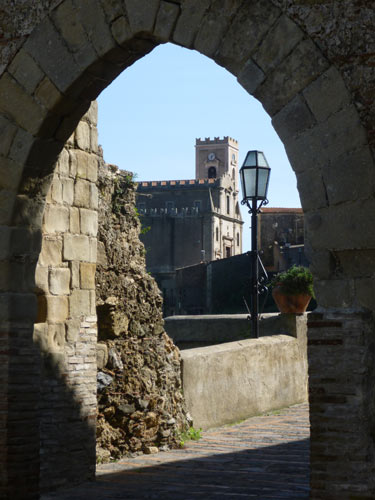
<point>150,116</point>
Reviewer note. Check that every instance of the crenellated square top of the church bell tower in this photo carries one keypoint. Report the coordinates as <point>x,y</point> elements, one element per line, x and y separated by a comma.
<point>216,157</point>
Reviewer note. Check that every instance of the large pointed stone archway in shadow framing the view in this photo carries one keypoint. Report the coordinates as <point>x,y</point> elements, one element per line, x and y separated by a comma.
<point>67,56</point>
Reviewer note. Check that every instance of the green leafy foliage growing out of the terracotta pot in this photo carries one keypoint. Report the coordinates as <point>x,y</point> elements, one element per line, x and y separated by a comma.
<point>296,280</point>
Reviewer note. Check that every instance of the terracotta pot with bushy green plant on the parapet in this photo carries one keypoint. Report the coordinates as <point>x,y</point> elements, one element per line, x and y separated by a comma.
<point>292,290</point>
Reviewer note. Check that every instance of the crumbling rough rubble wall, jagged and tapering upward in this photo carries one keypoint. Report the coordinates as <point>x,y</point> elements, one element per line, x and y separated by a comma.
<point>140,401</point>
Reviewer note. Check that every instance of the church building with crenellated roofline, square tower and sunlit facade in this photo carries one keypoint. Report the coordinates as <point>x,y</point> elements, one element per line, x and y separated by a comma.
<point>191,221</point>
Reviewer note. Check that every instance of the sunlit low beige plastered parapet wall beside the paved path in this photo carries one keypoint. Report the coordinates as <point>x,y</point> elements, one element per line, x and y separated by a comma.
<point>232,381</point>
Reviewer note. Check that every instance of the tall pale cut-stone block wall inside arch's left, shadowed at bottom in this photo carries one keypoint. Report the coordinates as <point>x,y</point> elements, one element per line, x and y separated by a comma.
<point>66,326</point>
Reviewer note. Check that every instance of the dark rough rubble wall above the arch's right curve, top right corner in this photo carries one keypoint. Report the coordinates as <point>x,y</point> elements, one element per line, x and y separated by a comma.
<point>343,30</point>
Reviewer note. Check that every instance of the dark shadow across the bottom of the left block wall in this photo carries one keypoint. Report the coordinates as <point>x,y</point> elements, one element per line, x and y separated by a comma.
<point>67,430</point>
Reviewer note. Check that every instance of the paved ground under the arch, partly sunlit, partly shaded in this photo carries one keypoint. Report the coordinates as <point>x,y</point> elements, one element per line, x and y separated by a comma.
<point>264,457</point>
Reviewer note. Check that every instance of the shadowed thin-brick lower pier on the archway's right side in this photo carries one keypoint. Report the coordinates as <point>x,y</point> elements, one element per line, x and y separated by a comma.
<point>341,393</point>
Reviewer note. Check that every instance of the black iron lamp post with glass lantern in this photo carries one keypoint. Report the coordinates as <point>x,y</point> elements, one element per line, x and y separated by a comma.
<point>254,174</point>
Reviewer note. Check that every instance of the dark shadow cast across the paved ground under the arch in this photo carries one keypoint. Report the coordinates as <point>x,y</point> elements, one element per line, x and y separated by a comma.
<point>271,472</point>
